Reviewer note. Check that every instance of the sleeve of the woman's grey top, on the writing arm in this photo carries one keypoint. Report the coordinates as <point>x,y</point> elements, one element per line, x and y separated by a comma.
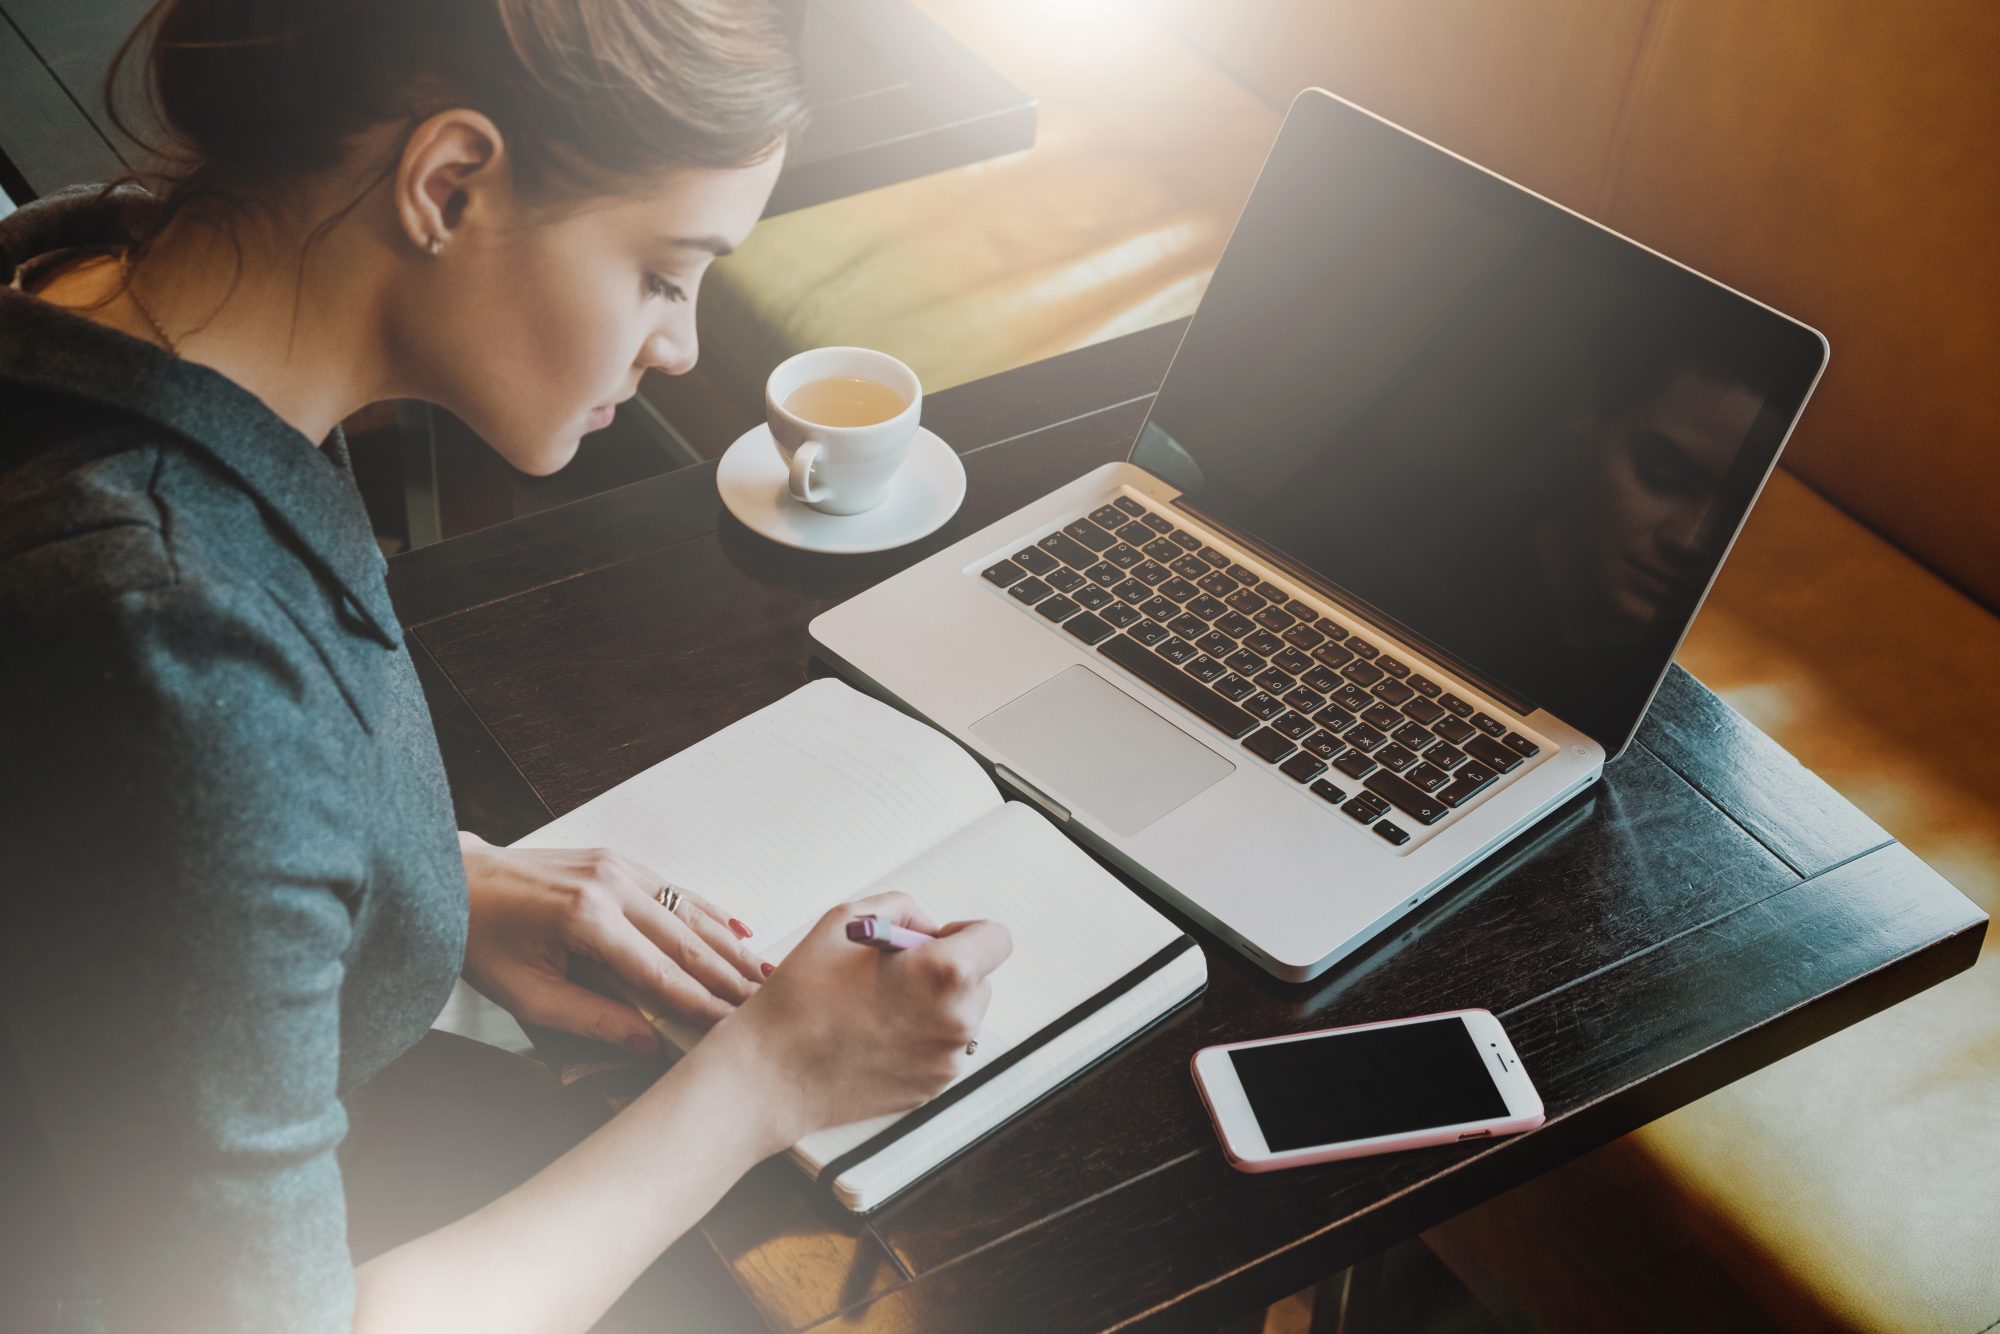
<point>177,909</point>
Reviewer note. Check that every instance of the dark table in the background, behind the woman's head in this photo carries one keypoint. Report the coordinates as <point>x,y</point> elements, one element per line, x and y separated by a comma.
<point>893,97</point>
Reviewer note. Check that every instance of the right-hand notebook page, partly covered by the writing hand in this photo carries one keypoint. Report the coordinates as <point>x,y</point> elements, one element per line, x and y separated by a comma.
<point>1075,927</point>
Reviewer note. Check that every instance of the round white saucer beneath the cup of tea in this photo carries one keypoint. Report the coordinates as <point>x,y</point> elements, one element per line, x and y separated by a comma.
<point>923,495</point>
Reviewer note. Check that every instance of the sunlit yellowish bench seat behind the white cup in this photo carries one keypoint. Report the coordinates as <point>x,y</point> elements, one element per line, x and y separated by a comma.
<point>1107,225</point>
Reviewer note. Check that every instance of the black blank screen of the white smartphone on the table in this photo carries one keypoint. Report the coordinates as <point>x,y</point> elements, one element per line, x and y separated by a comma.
<point>1361,1085</point>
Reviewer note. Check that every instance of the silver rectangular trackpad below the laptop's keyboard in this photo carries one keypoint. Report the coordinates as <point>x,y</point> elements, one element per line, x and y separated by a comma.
<point>1099,749</point>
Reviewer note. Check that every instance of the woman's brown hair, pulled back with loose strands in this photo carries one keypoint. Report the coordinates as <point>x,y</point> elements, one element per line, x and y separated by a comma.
<point>595,97</point>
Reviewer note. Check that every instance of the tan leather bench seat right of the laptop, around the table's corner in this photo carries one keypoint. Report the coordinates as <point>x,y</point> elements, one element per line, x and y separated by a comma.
<point>1859,1181</point>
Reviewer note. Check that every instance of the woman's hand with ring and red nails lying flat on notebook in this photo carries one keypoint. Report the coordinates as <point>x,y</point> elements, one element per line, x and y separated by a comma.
<point>535,909</point>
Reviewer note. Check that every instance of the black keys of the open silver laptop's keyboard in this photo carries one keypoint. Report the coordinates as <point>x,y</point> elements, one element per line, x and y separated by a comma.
<point>1331,711</point>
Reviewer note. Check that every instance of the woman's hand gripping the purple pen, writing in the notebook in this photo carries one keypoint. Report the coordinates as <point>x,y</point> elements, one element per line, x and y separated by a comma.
<point>843,1033</point>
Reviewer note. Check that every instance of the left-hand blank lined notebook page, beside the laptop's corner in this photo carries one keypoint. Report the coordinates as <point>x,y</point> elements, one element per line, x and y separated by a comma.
<point>791,811</point>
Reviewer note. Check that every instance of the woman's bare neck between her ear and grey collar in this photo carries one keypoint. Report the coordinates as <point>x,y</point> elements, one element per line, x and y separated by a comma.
<point>305,335</point>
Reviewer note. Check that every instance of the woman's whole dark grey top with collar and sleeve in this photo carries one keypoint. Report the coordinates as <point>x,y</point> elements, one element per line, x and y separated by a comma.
<point>229,877</point>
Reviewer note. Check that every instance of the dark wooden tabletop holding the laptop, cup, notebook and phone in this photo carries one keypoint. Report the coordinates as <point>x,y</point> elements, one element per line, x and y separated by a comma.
<point>1707,911</point>
